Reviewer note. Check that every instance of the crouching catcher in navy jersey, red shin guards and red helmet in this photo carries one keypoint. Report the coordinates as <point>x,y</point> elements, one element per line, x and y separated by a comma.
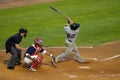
<point>34,55</point>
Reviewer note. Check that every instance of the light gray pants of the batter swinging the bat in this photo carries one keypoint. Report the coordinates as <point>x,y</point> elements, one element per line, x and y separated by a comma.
<point>71,46</point>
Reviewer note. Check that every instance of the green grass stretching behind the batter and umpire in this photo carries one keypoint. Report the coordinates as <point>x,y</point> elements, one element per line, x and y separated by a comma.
<point>99,19</point>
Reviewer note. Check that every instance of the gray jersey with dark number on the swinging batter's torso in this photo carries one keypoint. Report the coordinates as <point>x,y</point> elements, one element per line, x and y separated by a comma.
<point>71,34</point>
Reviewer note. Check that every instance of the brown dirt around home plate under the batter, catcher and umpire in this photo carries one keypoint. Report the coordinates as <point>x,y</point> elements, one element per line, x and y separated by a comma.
<point>104,64</point>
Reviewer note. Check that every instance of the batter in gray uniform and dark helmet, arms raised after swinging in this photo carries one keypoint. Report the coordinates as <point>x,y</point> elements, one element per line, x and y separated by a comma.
<point>71,30</point>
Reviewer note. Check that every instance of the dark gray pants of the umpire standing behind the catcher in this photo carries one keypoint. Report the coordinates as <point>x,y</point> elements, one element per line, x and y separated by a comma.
<point>16,56</point>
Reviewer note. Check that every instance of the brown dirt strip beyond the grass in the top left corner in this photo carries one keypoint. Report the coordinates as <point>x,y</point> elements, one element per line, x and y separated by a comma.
<point>15,3</point>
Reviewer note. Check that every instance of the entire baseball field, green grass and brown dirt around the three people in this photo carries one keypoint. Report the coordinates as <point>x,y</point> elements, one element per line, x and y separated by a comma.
<point>98,40</point>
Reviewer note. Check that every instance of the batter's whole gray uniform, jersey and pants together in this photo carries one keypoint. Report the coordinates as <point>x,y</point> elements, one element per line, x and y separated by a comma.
<point>71,36</point>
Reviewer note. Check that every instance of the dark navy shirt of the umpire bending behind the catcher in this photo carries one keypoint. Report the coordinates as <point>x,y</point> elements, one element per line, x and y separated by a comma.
<point>15,39</point>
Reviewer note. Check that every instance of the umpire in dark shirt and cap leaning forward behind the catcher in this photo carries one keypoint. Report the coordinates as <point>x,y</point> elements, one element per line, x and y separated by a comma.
<point>12,47</point>
